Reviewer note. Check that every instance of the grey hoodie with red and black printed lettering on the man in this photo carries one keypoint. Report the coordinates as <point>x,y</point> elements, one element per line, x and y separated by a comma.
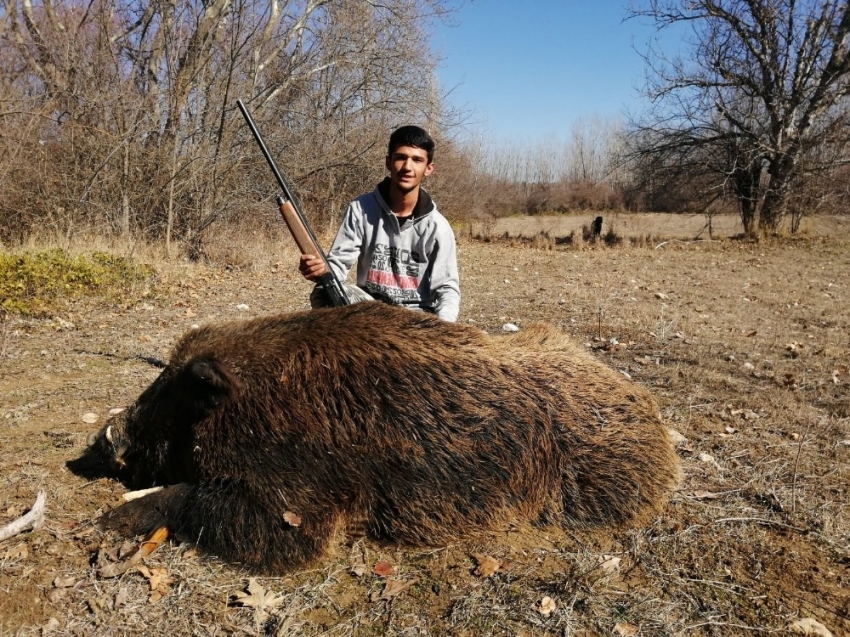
<point>413,264</point>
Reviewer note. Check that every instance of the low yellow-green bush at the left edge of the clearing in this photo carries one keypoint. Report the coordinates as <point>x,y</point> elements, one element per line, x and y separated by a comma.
<point>31,284</point>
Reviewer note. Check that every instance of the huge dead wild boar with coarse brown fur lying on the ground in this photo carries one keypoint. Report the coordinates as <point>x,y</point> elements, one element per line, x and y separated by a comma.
<point>421,431</point>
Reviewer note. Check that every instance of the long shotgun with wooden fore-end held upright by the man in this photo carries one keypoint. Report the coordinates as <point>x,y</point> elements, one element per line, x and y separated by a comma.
<point>300,230</point>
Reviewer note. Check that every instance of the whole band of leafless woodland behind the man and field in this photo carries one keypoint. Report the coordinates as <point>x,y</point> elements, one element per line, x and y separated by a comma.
<point>118,118</point>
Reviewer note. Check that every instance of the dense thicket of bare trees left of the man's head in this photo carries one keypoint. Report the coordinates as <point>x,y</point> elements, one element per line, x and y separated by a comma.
<point>132,102</point>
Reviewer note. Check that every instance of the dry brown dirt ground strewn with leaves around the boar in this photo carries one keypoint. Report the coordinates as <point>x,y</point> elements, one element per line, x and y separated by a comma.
<point>745,345</point>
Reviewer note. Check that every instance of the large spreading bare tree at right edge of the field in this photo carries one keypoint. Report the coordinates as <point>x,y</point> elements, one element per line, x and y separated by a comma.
<point>756,109</point>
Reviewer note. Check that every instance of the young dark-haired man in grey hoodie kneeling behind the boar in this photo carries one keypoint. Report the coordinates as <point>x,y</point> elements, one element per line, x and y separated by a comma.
<point>403,247</point>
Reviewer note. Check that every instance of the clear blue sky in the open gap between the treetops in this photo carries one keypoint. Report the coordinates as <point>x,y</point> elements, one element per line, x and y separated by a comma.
<point>529,70</point>
